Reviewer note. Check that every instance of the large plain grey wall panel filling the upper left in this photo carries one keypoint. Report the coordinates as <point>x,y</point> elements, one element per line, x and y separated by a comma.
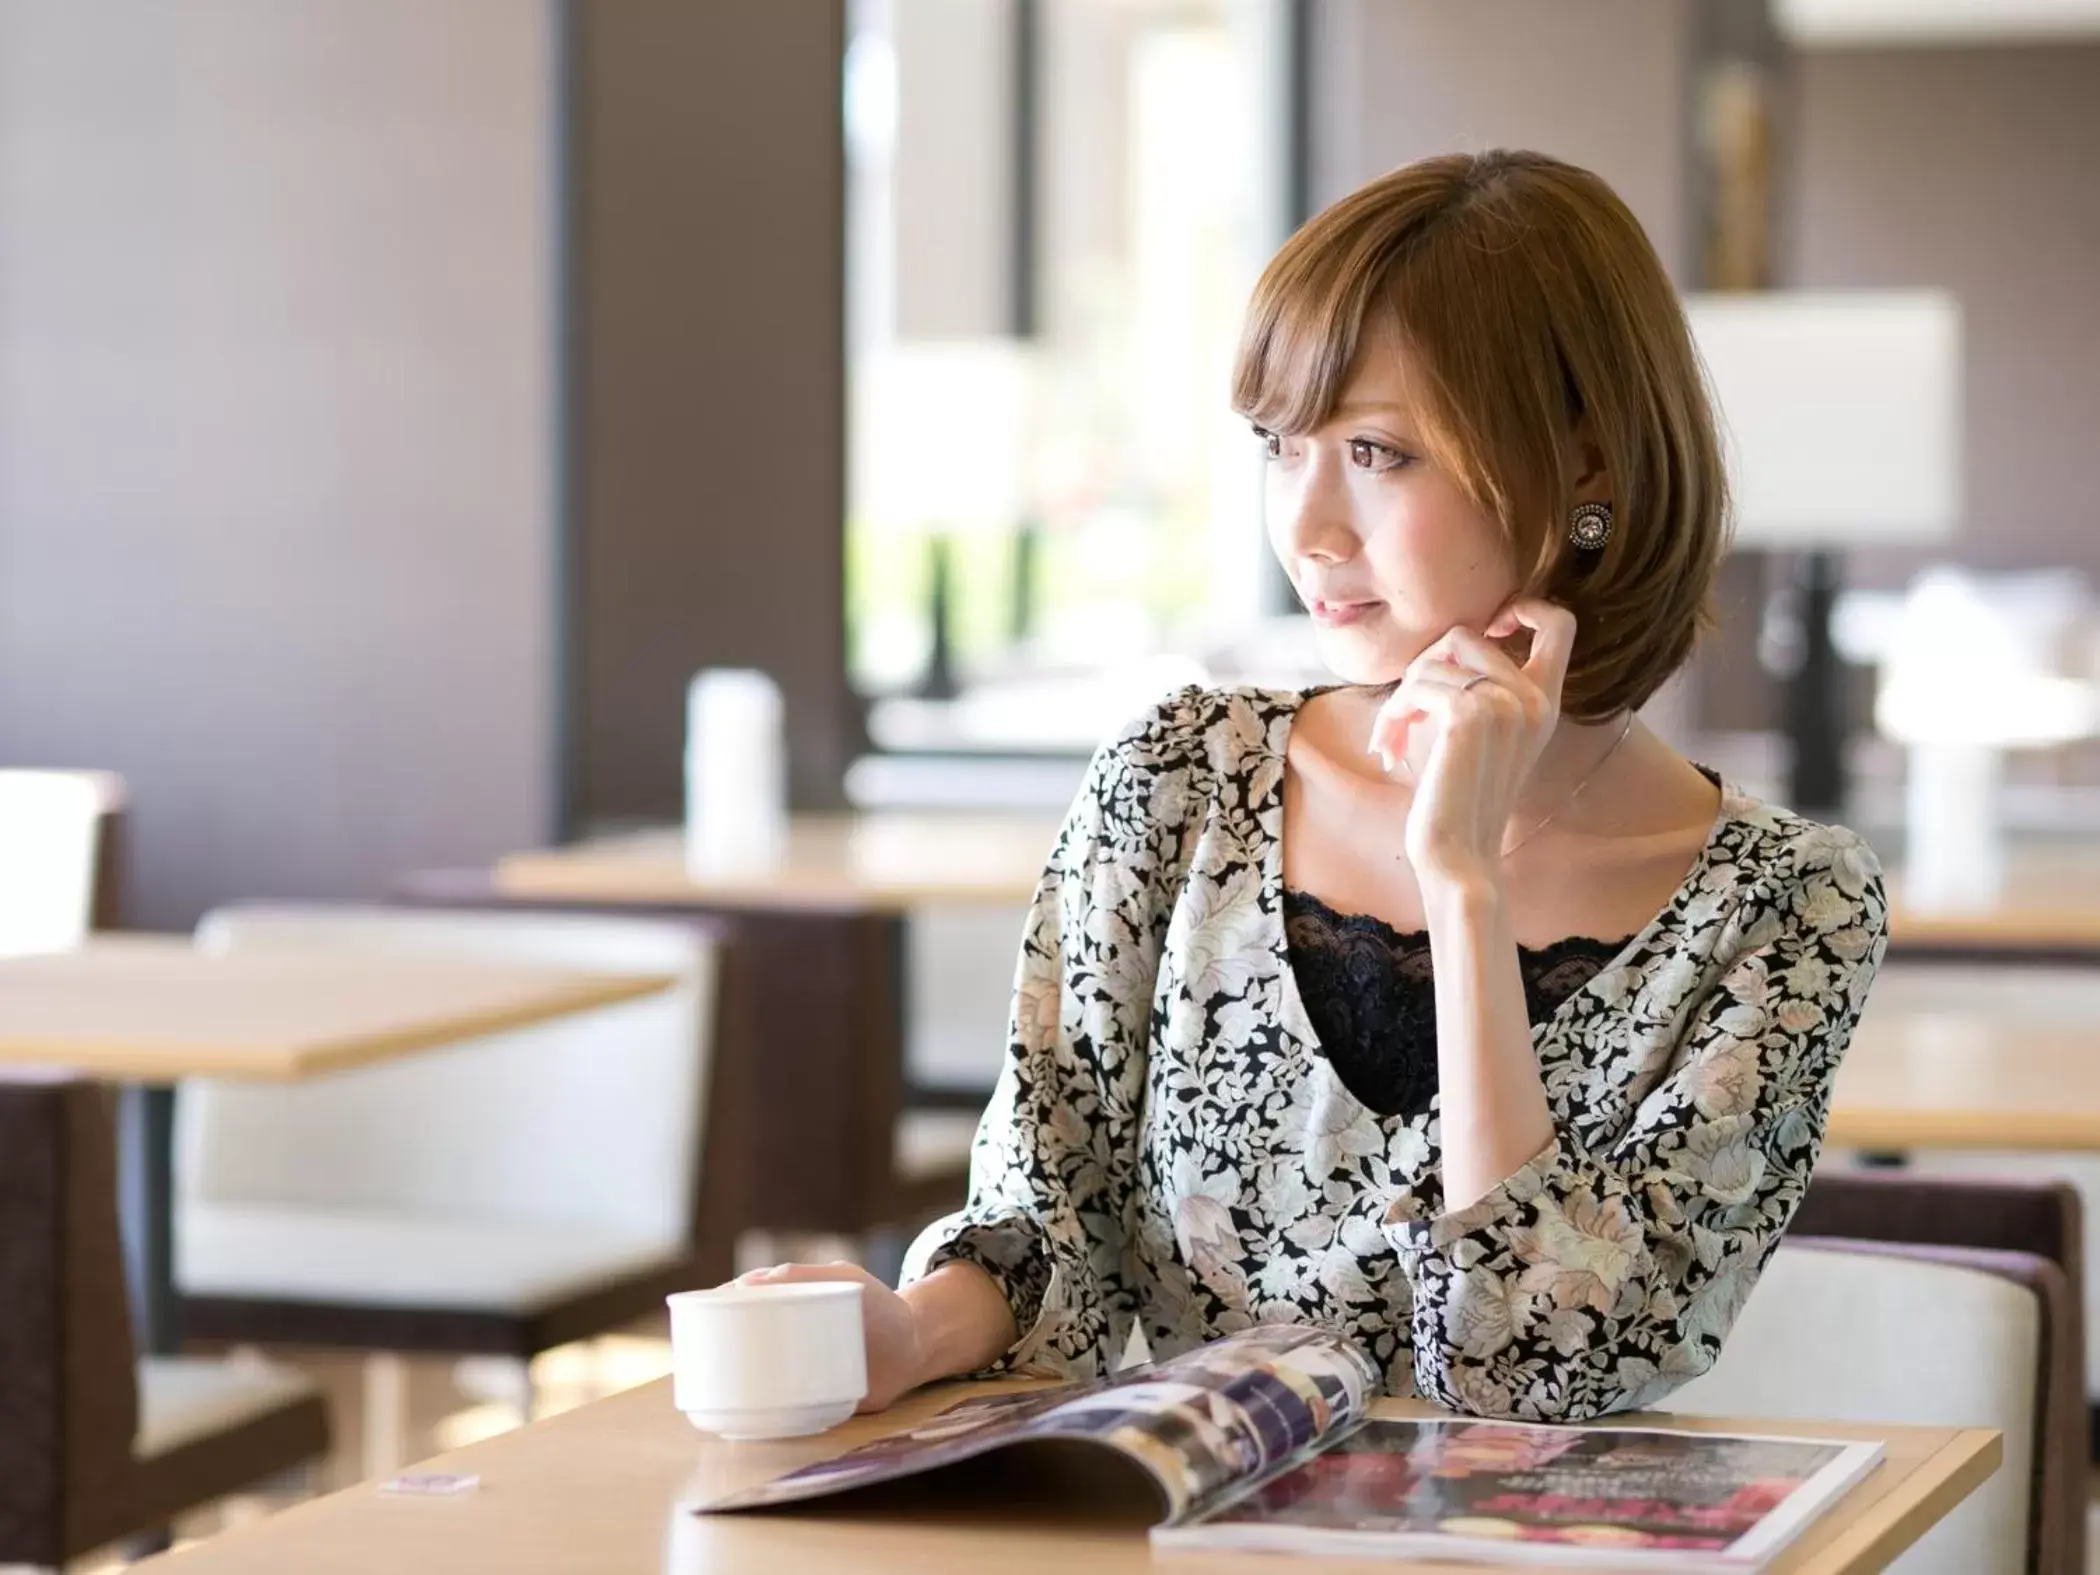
<point>276,390</point>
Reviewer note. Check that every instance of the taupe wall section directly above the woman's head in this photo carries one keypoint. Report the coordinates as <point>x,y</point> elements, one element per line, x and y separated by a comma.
<point>1599,85</point>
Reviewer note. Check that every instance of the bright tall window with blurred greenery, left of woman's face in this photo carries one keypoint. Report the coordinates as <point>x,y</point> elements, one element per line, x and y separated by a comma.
<point>1057,213</point>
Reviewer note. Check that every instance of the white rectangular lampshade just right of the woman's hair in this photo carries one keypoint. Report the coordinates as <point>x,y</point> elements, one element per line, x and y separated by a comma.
<point>1841,415</point>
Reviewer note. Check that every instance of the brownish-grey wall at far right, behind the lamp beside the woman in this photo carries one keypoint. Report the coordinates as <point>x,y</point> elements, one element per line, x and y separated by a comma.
<point>1975,169</point>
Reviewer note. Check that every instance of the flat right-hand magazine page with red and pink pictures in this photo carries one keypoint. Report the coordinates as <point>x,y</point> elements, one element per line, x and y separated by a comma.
<point>1505,1492</point>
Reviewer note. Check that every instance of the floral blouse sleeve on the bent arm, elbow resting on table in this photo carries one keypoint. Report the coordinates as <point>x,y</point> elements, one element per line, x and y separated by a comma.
<point>1603,1278</point>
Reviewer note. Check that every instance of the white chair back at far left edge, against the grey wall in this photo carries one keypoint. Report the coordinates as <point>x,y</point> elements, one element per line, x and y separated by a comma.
<point>54,856</point>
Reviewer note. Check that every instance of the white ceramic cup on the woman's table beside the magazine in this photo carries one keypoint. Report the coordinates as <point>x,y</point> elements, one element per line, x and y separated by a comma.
<point>770,1362</point>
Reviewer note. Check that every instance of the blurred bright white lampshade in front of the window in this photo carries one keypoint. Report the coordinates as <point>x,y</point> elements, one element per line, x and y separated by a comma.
<point>942,436</point>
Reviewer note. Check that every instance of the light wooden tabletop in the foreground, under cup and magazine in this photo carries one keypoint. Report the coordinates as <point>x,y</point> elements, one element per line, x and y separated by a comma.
<point>606,1492</point>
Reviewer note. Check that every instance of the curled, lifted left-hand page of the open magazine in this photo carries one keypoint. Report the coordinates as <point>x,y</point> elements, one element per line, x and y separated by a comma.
<point>1200,1425</point>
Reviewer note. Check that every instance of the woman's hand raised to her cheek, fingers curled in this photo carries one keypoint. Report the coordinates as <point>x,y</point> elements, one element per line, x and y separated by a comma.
<point>1492,719</point>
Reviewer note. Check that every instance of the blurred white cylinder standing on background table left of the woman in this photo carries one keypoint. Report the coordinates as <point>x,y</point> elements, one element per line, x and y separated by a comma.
<point>736,772</point>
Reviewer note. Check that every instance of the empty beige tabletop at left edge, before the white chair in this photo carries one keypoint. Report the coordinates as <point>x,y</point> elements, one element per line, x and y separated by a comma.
<point>154,1009</point>
